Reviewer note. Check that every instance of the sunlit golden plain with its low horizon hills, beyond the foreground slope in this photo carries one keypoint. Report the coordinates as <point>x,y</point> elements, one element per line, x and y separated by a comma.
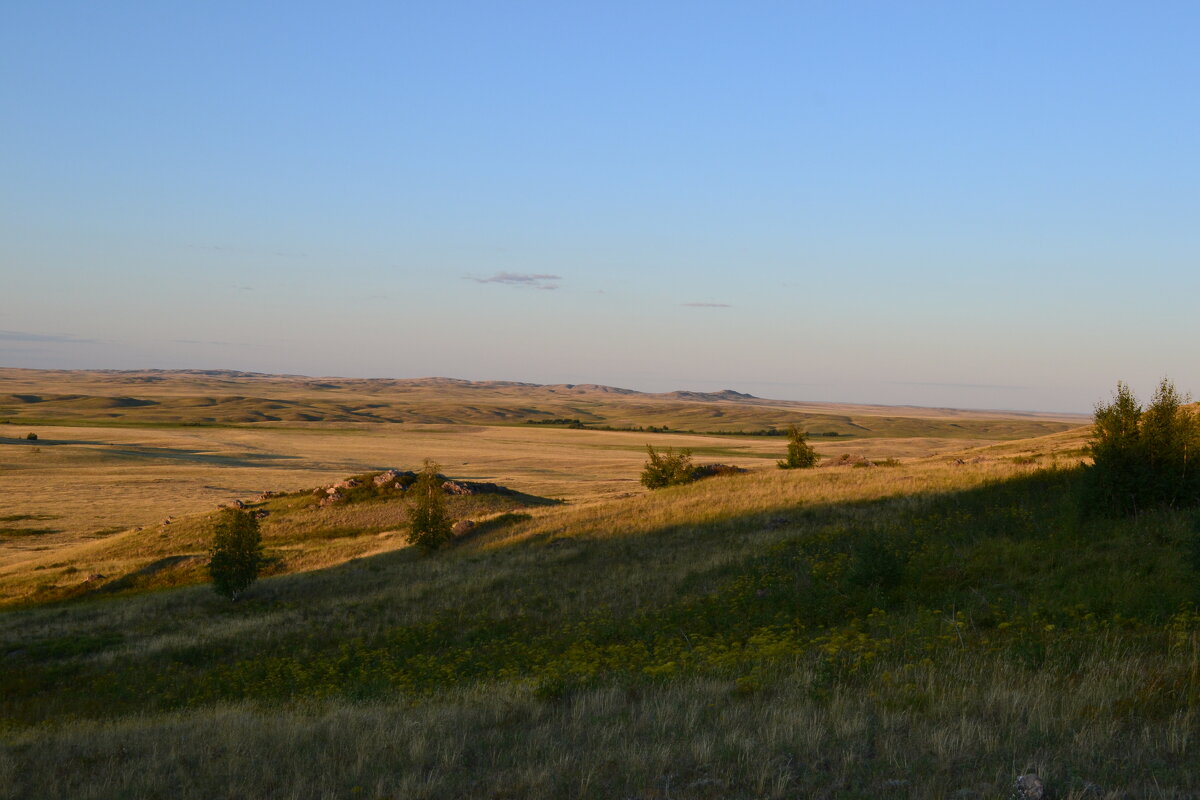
<point>146,447</point>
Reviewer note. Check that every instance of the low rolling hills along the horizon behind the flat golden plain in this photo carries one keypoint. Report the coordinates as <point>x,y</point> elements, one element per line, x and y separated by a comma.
<point>232,398</point>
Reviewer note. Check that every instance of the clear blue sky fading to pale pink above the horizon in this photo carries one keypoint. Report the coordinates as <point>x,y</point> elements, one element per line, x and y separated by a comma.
<point>955,204</point>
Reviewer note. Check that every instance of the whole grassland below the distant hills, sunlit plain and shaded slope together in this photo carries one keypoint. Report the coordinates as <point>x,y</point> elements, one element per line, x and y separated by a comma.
<point>927,629</point>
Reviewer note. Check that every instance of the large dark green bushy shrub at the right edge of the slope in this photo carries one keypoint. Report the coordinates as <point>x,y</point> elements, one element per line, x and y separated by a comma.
<point>1144,459</point>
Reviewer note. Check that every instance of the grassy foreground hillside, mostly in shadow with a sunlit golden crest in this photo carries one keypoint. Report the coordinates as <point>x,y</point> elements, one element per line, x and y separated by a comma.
<point>931,630</point>
